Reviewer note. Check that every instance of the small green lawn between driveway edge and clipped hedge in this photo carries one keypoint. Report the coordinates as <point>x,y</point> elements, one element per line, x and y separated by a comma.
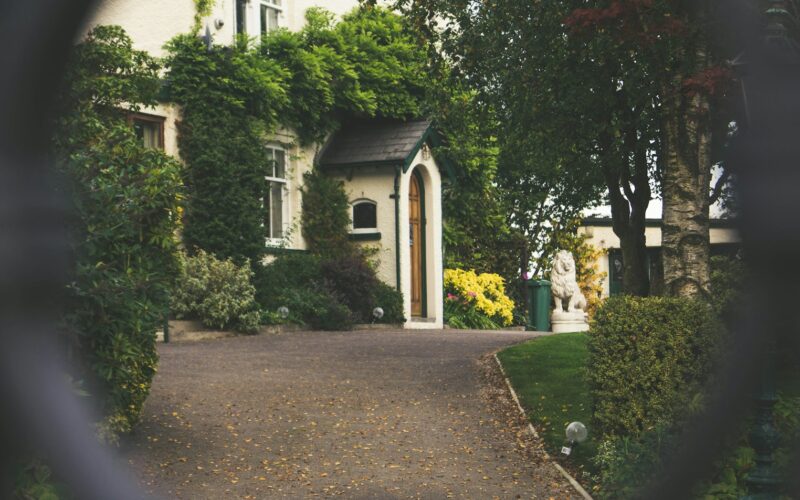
<point>548,375</point>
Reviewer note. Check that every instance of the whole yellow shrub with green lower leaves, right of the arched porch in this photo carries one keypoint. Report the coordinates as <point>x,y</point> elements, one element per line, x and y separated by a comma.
<point>485,293</point>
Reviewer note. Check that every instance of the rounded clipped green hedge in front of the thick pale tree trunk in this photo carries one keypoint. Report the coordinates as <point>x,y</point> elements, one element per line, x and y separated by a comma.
<point>648,360</point>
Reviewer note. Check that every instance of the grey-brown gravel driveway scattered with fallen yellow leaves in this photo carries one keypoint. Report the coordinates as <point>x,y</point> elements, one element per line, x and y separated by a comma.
<point>369,414</point>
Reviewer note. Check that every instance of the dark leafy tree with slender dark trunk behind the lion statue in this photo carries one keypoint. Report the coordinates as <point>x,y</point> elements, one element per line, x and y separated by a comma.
<point>572,118</point>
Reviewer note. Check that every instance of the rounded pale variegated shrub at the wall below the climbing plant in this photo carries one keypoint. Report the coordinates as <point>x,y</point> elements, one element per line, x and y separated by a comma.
<point>217,292</point>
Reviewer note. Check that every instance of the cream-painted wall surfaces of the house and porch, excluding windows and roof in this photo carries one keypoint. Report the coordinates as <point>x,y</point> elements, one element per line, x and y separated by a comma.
<point>152,23</point>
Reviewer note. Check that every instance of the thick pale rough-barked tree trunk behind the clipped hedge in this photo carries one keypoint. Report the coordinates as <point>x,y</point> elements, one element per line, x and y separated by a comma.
<point>685,188</point>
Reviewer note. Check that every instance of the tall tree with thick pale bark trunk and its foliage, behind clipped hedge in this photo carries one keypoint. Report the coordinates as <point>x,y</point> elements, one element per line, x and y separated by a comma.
<point>688,81</point>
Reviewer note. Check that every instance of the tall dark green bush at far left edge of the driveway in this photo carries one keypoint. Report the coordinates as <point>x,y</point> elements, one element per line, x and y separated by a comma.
<point>125,199</point>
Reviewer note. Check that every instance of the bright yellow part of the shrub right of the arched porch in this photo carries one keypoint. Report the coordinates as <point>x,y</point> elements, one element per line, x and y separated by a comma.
<point>486,292</point>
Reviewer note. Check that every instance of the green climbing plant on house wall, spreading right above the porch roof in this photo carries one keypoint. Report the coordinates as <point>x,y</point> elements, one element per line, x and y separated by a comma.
<point>310,81</point>
